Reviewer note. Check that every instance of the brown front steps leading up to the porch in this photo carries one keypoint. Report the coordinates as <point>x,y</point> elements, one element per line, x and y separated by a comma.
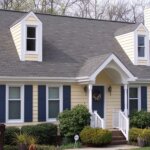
<point>118,138</point>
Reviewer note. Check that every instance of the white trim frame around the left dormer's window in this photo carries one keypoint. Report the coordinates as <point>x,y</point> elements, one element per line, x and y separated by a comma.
<point>36,40</point>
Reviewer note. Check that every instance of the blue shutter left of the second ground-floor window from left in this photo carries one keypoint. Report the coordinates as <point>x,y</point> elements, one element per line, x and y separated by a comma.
<point>42,103</point>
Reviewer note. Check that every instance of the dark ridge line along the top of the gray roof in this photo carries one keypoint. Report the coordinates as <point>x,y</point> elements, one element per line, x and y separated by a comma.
<point>73,17</point>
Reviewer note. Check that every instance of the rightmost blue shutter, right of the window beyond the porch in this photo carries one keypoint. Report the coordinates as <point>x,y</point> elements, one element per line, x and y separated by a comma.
<point>144,98</point>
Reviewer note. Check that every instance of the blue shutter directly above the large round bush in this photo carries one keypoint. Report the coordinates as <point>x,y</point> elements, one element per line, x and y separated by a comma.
<point>66,97</point>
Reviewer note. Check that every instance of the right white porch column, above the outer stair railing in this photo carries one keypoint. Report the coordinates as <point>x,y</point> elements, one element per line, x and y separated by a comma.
<point>126,99</point>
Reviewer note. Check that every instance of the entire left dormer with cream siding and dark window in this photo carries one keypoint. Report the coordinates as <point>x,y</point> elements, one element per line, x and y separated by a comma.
<point>27,37</point>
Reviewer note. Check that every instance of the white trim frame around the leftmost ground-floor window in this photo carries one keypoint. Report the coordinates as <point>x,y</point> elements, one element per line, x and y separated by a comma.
<point>22,104</point>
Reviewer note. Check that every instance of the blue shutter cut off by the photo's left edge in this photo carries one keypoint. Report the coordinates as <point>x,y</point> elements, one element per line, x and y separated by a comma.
<point>2,103</point>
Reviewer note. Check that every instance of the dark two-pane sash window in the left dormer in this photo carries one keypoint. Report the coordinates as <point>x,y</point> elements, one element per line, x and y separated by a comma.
<point>31,38</point>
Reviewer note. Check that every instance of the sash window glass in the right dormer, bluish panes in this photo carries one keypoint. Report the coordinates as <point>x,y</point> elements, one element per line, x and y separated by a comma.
<point>141,46</point>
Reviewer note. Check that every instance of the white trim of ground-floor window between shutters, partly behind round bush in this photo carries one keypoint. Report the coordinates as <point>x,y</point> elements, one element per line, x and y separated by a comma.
<point>60,101</point>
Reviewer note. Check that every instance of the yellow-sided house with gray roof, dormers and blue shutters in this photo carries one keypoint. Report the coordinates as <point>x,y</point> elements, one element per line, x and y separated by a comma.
<point>52,63</point>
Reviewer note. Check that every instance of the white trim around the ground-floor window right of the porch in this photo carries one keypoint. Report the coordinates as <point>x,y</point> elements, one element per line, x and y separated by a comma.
<point>139,96</point>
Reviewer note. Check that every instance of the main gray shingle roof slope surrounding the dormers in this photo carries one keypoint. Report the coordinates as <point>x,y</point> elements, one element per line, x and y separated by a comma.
<point>69,47</point>
